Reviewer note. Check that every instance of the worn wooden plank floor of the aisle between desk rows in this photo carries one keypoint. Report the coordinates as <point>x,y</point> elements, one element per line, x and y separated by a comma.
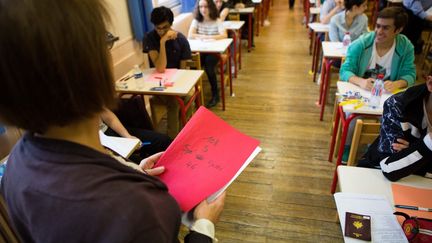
<point>284,195</point>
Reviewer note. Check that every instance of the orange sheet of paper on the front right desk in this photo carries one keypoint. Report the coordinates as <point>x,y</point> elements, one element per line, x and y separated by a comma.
<point>412,196</point>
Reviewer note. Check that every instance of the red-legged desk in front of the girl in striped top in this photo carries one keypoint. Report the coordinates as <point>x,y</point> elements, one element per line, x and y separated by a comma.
<point>216,47</point>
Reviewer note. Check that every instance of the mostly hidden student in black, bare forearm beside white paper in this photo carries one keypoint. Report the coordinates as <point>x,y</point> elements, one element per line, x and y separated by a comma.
<point>153,142</point>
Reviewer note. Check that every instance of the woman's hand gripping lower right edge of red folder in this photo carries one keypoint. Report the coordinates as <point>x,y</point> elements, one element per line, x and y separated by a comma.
<point>210,211</point>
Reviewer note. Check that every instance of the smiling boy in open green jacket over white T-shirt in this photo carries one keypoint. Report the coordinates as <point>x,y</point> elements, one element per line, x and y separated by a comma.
<point>382,51</point>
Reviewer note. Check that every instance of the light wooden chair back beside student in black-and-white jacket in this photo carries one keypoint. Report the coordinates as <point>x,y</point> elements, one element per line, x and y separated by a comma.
<point>365,132</point>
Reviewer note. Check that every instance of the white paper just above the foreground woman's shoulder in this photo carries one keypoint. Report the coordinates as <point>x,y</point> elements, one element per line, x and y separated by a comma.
<point>123,146</point>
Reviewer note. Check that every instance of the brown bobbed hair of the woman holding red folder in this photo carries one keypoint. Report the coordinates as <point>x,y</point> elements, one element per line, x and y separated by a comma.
<point>55,67</point>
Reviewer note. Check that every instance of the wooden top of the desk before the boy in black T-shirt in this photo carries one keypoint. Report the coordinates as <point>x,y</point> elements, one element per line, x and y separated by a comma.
<point>184,81</point>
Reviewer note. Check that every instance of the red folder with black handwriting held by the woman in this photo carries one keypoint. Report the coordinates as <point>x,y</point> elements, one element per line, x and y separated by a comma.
<point>206,156</point>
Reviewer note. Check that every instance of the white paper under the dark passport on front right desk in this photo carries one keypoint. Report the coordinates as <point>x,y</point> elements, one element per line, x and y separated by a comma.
<point>384,225</point>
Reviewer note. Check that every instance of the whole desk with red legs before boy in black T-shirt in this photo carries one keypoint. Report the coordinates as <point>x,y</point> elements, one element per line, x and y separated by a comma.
<point>183,83</point>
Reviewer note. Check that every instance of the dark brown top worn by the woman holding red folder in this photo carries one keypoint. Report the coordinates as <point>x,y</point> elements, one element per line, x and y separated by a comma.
<point>59,191</point>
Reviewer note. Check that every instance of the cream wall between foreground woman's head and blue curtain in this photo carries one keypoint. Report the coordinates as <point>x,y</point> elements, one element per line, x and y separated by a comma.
<point>126,52</point>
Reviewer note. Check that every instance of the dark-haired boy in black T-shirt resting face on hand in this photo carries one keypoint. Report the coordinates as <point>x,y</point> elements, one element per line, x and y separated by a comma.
<point>167,48</point>
